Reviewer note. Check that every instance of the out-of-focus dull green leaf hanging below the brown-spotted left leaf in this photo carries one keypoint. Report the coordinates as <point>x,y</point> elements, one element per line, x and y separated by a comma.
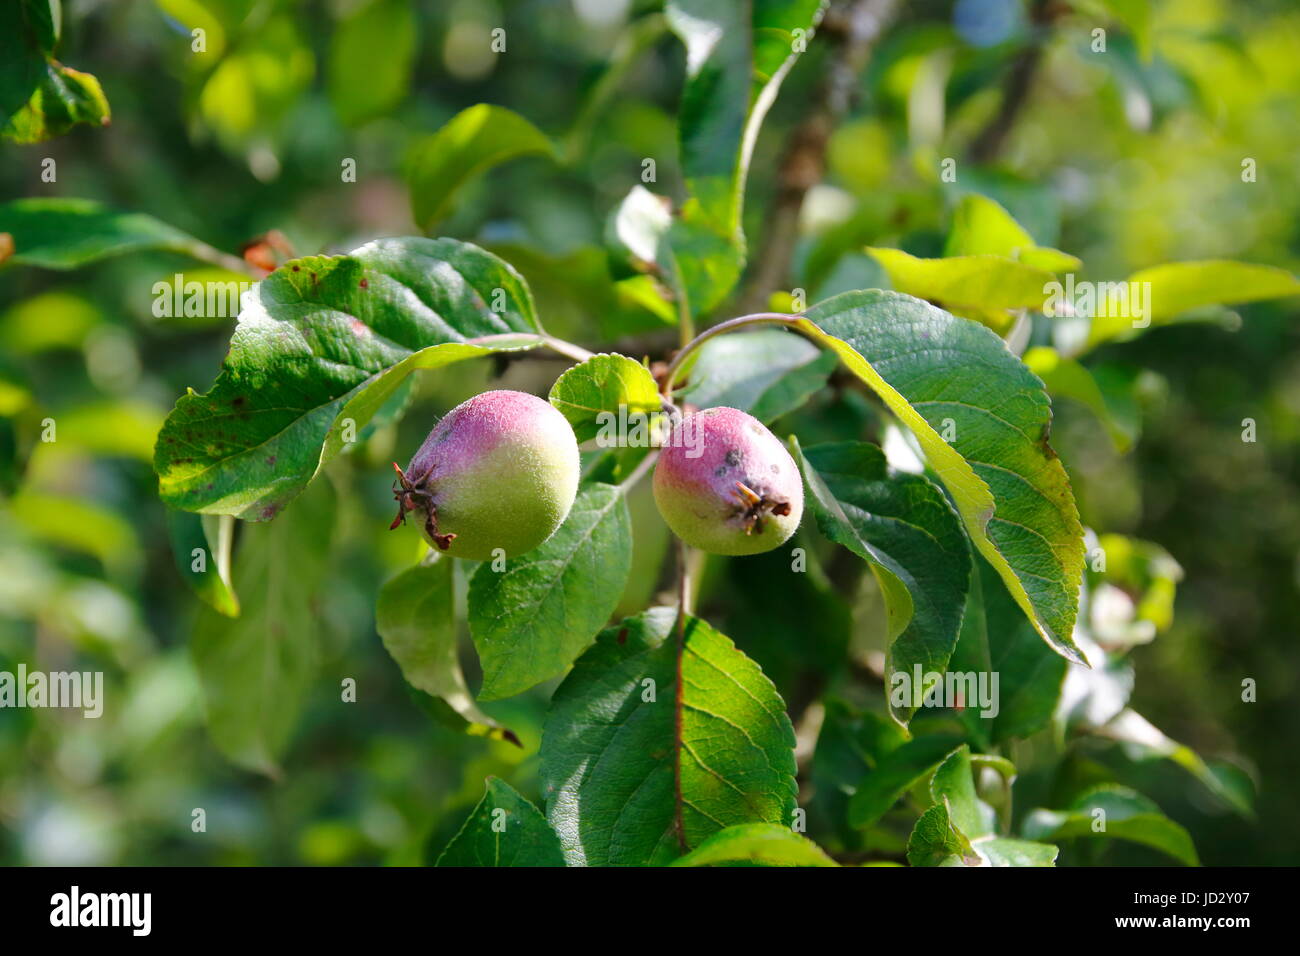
<point>259,669</point>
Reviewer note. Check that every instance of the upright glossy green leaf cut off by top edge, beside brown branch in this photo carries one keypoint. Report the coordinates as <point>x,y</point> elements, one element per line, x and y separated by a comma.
<point>736,58</point>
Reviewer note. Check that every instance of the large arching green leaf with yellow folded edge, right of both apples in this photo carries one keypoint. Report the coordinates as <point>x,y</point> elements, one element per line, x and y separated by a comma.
<point>934,373</point>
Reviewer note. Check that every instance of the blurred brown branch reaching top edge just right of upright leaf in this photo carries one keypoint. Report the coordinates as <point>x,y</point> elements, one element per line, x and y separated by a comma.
<point>853,28</point>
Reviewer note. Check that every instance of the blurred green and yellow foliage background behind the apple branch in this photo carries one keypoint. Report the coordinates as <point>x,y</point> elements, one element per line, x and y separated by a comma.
<point>1126,158</point>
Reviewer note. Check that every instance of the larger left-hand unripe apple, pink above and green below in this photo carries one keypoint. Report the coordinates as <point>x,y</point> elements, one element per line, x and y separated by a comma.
<point>500,471</point>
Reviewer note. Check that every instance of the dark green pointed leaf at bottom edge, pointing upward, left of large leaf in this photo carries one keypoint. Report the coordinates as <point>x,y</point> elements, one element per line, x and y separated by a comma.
<point>504,830</point>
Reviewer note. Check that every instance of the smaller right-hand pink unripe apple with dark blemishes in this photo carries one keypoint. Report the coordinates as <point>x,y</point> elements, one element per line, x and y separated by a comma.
<point>727,486</point>
